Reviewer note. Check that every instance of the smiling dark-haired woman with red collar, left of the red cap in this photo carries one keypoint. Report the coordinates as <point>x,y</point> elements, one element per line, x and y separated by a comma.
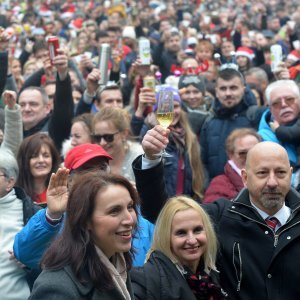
<point>37,159</point>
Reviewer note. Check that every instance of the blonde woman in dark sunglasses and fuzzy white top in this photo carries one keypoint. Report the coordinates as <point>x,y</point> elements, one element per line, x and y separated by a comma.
<point>111,130</point>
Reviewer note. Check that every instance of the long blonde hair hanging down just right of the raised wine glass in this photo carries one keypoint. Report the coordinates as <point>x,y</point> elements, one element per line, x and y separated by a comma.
<point>194,154</point>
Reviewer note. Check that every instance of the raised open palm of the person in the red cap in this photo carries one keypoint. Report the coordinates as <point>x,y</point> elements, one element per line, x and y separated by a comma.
<point>57,193</point>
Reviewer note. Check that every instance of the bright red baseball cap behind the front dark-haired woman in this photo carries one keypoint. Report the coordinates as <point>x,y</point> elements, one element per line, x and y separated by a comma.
<point>79,155</point>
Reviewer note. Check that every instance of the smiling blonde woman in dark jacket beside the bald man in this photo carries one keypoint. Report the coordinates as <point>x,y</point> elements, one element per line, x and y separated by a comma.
<point>181,263</point>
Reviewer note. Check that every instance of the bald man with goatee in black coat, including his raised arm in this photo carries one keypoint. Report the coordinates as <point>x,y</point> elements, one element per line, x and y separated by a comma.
<point>259,258</point>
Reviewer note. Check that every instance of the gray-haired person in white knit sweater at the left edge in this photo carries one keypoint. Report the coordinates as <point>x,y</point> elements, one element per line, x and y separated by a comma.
<point>16,208</point>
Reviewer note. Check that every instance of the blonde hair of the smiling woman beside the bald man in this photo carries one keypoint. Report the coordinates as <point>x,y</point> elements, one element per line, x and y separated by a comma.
<point>162,232</point>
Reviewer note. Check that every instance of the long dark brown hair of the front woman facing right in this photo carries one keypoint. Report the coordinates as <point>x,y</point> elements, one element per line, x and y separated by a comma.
<point>75,246</point>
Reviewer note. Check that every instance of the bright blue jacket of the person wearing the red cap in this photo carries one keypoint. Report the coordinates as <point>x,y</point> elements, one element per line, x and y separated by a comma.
<point>34,239</point>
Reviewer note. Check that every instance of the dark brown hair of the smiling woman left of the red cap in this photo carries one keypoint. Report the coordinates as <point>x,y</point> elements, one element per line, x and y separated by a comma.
<point>28,148</point>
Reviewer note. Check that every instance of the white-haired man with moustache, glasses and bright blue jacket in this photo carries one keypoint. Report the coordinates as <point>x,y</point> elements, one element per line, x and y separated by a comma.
<point>283,98</point>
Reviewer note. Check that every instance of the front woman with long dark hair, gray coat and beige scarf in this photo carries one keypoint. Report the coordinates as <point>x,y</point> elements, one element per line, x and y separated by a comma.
<point>91,257</point>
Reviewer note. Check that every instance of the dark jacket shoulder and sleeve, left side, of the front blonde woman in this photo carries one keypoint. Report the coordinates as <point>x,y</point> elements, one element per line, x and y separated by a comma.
<point>159,279</point>
